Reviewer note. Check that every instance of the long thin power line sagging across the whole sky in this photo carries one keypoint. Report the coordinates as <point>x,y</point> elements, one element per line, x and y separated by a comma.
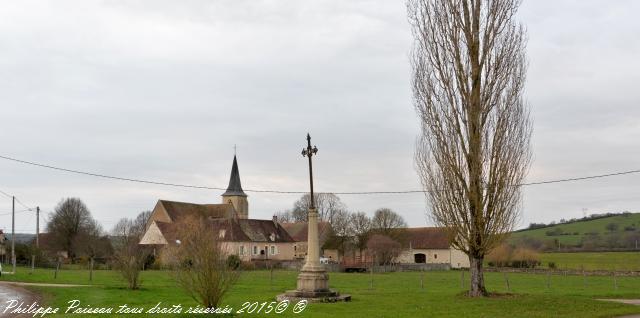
<point>278,191</point>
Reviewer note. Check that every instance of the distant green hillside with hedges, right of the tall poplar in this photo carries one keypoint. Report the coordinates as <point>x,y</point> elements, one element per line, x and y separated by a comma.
<point>615,231</point>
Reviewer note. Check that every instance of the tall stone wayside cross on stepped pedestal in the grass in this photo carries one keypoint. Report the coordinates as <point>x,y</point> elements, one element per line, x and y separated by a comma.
<point>313,281</point>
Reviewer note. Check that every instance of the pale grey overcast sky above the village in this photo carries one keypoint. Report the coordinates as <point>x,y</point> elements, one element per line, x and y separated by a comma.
<point>162,90</point>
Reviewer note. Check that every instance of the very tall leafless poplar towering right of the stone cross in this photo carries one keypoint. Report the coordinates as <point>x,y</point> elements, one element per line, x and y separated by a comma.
<point>469,68</point>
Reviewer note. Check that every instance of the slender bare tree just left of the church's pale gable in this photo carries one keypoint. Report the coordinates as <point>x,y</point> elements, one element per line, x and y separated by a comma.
<point>129,256</point>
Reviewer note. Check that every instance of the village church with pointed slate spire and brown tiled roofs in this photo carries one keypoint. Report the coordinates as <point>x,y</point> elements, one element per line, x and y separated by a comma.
<point>250,239</point>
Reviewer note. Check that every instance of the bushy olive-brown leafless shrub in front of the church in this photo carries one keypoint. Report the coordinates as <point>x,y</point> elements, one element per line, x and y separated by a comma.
<point>200,262</point>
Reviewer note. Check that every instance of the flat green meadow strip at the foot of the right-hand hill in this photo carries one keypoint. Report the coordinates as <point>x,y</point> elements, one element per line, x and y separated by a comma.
<point>620,261</point>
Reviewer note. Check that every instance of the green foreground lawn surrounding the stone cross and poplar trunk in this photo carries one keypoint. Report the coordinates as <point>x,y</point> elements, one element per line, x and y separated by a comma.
<point>393,294</point>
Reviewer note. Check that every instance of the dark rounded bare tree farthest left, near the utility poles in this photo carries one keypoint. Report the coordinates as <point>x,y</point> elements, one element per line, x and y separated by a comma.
<point>70,219</point>
